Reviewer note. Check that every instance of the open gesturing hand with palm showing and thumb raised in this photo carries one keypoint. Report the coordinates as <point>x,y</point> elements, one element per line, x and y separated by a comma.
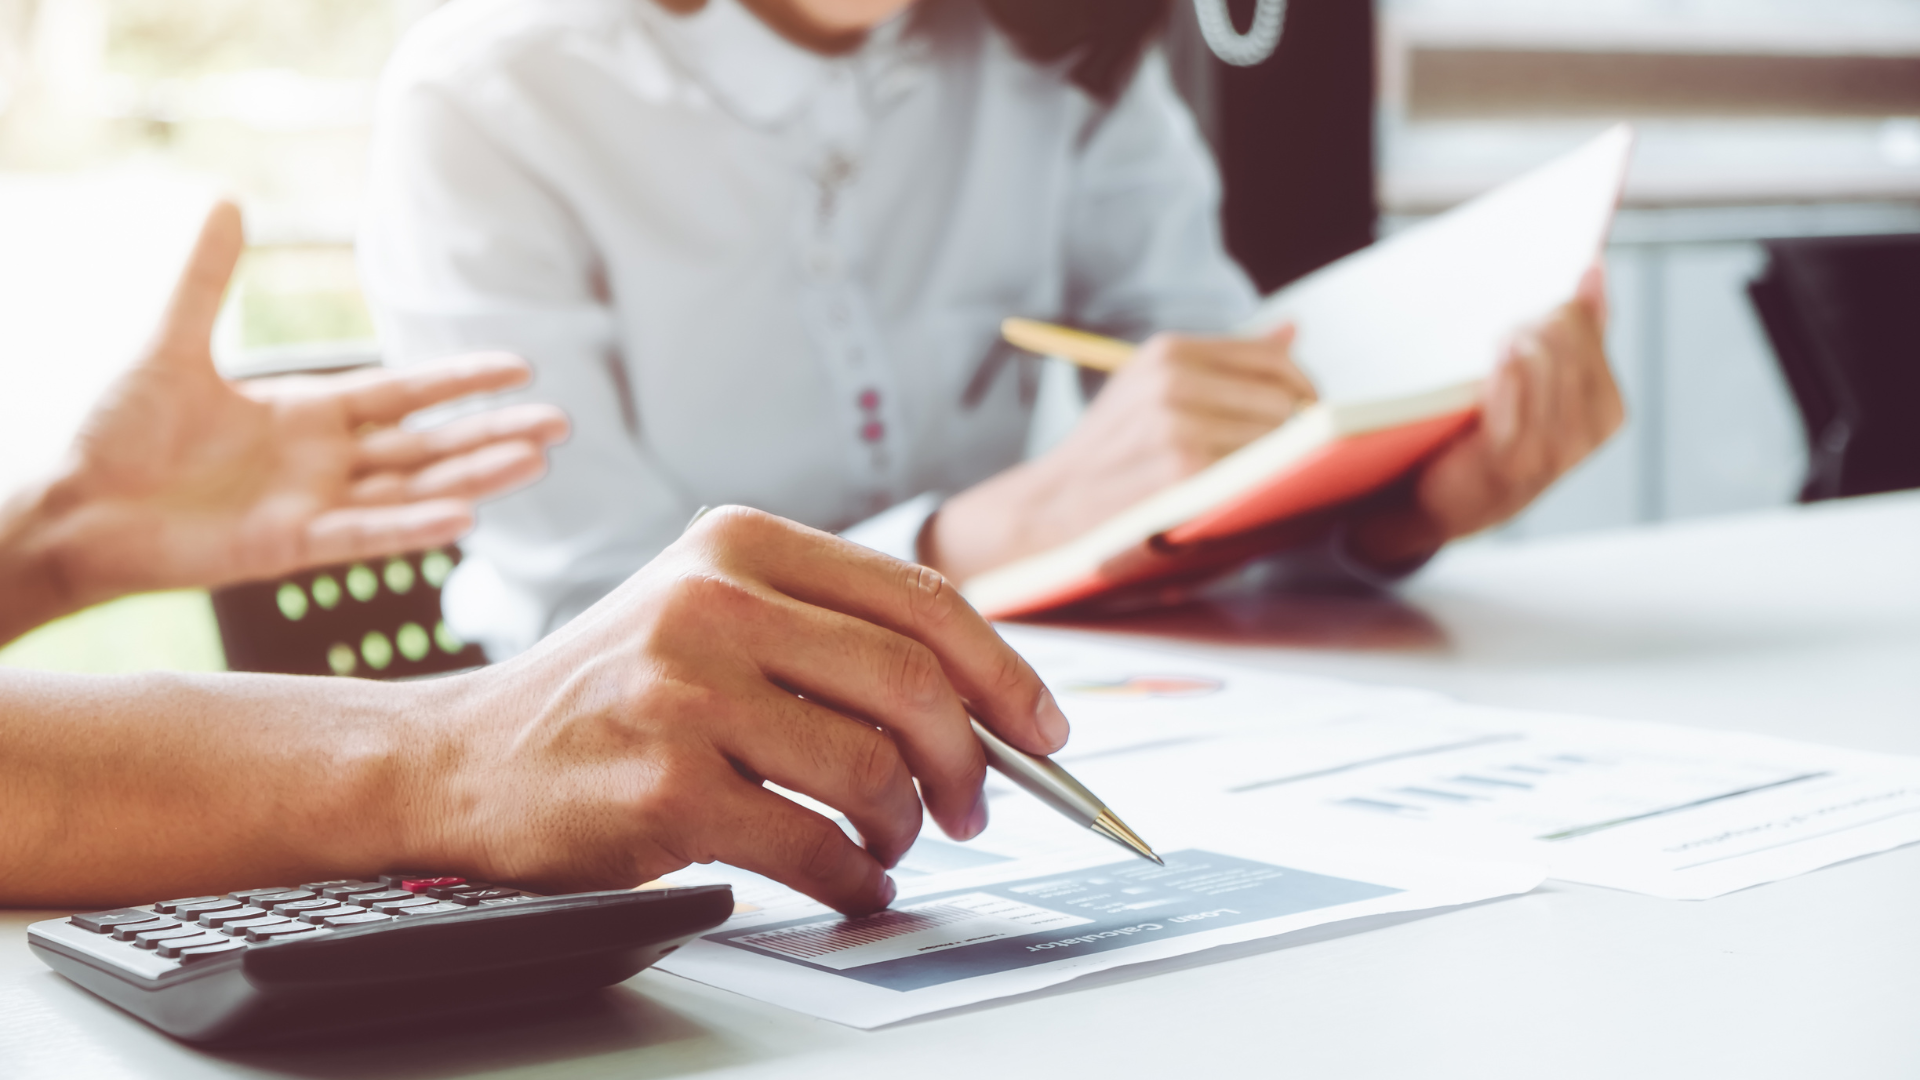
<point>185,479</point>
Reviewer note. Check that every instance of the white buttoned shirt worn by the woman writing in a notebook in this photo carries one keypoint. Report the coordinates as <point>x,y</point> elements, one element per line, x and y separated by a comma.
<point>754,274</point>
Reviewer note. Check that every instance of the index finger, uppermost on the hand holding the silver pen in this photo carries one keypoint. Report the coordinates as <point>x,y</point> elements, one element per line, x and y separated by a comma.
<point>905,599</point>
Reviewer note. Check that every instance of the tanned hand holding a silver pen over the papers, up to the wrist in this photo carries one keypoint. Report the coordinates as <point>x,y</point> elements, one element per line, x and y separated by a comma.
<point>638,739</point>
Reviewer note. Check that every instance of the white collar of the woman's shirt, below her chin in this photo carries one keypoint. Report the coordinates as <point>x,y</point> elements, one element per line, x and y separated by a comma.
<point>754,72</point>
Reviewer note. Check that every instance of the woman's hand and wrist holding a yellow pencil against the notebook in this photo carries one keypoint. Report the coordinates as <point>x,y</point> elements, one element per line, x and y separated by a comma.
<point>1180,406</point>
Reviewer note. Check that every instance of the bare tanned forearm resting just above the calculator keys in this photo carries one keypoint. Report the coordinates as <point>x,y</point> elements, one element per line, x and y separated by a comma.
<point>126,789</point>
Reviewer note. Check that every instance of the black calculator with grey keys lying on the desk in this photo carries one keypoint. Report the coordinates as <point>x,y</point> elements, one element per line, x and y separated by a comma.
<point>272,964</point>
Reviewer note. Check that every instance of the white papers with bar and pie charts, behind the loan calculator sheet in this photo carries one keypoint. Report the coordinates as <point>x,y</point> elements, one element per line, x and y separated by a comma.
<point>1648,808</point>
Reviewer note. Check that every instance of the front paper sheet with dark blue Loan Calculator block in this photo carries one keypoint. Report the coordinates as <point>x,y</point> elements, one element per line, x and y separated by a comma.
<point>965,937</point>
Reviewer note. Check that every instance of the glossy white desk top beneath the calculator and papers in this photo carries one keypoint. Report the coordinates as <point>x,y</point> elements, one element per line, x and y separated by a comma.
<point>1800,624</point>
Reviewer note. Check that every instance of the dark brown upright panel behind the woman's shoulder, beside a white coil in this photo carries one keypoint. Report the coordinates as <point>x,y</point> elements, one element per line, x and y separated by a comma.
<point>1295,139</point>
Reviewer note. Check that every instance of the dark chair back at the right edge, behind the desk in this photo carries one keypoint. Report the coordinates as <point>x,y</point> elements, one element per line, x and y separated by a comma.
<point>1842,318</point>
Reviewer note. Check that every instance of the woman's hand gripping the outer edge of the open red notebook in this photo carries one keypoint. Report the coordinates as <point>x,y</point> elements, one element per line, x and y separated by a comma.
<point>1548,405</point>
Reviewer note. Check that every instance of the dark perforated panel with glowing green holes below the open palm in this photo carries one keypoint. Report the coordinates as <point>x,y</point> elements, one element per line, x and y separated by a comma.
<point>377,620</point>
